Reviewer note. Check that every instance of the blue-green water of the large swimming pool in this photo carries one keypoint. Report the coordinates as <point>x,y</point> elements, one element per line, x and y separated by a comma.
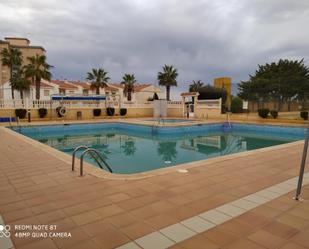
<point>136,148</point>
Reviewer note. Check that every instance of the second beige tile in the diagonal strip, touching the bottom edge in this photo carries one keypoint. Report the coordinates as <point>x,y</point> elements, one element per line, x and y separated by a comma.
<point>154,240</point>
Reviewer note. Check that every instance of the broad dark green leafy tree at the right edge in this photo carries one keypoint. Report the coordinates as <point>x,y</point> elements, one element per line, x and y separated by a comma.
<point>281,81</point>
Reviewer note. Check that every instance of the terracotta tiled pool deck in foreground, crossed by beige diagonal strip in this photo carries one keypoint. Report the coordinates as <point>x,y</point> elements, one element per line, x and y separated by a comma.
<point>37,187</point>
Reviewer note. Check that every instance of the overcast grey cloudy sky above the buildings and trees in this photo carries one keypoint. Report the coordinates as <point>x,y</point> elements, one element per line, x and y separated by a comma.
<point>203,39</point>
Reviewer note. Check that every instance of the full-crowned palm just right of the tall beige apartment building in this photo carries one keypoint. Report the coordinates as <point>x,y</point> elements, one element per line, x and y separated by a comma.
<point>38,69</point>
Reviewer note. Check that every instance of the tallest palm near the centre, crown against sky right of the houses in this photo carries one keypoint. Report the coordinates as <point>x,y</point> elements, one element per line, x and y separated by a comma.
<point>167,78</point>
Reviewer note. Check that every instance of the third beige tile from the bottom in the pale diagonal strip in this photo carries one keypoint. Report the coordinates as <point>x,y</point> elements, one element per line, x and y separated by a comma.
<point>177,232</point>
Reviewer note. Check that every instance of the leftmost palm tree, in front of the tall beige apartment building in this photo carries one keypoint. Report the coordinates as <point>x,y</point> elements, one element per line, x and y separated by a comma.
<point>13,59</point>
